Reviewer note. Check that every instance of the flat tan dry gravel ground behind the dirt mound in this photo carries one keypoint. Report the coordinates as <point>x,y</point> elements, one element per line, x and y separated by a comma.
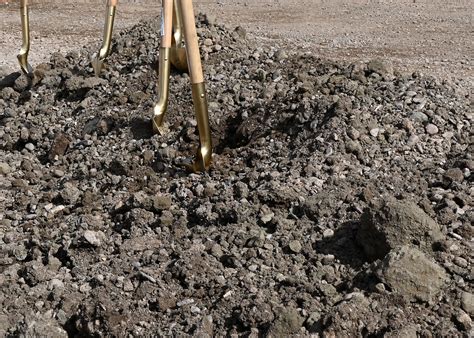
<point>434,37</point>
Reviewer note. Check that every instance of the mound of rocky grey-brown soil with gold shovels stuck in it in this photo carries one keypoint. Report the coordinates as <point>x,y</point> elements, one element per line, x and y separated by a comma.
<point>339,202</point>
